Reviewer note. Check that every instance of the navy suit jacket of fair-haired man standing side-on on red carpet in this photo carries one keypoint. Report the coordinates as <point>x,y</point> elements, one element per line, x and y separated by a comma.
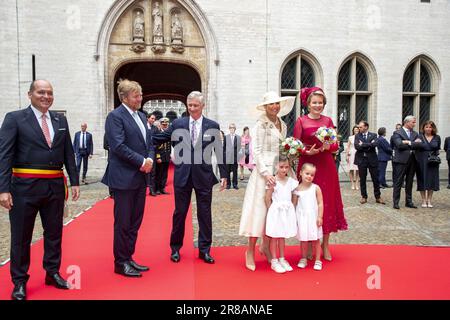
<point>127,150</point>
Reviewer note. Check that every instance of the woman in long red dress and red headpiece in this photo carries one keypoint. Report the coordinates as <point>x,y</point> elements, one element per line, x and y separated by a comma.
<point>321,155</point>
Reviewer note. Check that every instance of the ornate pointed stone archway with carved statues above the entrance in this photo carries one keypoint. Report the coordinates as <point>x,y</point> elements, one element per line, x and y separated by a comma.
<point>133,32</point>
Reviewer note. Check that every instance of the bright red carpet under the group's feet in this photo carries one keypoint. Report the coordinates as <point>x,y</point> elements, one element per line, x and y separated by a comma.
<point>406,272</point>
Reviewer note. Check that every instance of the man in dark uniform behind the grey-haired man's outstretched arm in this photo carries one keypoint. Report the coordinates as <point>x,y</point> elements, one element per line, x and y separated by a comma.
<point>162,160</point>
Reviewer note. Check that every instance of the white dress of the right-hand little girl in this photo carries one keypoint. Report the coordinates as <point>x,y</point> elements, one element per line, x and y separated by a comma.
<point>307,211</point>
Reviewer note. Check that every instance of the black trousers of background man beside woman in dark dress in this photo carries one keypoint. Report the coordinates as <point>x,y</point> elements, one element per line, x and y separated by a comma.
<point>402,172</point>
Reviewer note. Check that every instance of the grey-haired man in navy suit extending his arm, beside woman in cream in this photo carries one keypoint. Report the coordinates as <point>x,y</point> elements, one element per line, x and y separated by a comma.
<point>194,139</point>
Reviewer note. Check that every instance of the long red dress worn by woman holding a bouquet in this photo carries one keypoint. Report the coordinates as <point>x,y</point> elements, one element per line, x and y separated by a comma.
<point>326,175</point>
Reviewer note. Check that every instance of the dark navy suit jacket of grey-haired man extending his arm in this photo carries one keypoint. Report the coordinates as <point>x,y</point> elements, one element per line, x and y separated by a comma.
<point>194,163</point>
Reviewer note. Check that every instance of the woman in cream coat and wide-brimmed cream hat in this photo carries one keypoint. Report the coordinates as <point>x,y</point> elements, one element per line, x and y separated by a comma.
<point>268,133</point>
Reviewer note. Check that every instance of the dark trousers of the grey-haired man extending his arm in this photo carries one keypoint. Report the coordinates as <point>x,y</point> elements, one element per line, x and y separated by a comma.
<point>182,202</point>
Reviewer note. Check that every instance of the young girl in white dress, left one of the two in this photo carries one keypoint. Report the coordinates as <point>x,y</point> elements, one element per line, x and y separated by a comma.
<point>281,221</point>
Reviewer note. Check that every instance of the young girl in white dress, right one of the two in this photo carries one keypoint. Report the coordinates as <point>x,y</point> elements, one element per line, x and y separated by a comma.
<point>308,203</point>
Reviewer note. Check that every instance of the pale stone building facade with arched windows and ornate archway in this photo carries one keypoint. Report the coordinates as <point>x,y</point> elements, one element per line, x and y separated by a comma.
<point>376,60</point>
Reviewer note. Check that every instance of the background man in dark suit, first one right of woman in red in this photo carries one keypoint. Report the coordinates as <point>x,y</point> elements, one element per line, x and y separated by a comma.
<point>366,158</point>
